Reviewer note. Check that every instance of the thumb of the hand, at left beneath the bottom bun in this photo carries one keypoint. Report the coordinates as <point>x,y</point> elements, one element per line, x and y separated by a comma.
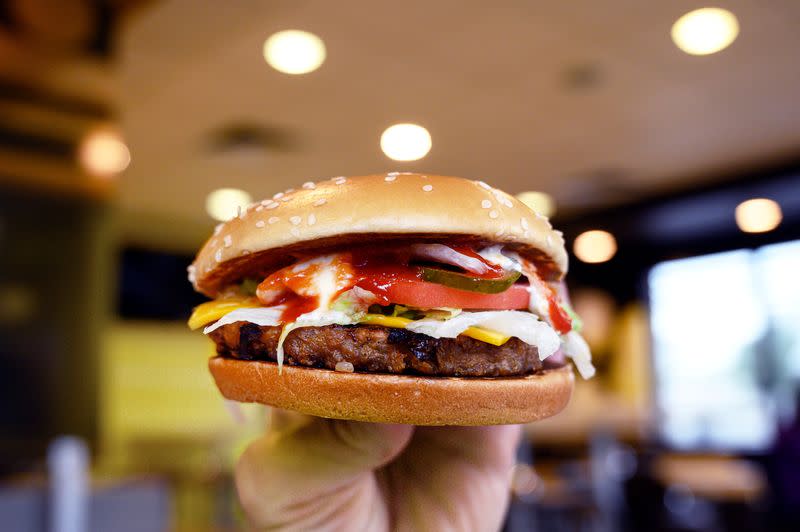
<point>304,466</point>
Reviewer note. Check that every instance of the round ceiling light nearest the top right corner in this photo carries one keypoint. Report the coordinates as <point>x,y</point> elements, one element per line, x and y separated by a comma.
<point>705,31</point>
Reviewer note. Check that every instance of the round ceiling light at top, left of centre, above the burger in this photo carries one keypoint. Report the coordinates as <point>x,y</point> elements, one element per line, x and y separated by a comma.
<point>294,51</point>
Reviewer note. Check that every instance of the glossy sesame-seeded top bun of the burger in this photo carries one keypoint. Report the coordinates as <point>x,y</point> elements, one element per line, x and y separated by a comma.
<point>348,211</point>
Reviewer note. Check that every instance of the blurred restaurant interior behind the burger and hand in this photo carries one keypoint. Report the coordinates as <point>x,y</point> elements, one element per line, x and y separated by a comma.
<point>662,138</point>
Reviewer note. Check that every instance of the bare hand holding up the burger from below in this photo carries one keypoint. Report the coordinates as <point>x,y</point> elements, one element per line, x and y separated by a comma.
<point>311,473</point>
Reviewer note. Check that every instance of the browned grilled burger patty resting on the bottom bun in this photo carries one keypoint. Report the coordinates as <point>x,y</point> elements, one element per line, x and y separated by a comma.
<point>375,349</point>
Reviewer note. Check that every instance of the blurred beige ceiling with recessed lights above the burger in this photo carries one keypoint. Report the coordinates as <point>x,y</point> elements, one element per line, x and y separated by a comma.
<point>589,101</point>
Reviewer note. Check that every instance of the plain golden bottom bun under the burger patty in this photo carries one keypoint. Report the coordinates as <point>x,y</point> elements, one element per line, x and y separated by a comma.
<point>405,399</point>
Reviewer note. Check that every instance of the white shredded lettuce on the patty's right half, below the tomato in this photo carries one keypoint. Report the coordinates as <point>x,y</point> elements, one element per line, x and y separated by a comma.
<point>523,325</point>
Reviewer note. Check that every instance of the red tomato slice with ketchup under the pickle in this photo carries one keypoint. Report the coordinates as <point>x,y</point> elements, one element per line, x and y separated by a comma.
<point>405,288</point>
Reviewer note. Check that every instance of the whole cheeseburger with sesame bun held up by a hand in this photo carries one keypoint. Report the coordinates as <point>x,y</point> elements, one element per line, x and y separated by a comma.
<point>395,298</point>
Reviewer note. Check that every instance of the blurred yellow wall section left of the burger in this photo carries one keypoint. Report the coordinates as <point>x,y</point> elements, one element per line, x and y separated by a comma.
<point>159,407</point>
